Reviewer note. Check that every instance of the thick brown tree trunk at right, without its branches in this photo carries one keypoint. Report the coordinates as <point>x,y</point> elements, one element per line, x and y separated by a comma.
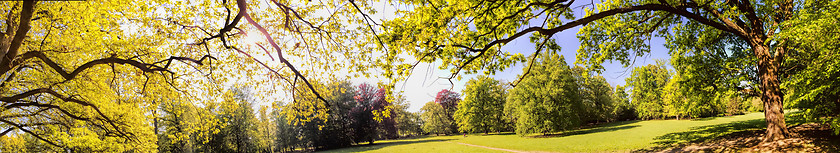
<point>771,94</point>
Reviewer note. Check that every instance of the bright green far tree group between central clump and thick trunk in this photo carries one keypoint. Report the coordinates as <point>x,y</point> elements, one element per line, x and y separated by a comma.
<point>660,93</point>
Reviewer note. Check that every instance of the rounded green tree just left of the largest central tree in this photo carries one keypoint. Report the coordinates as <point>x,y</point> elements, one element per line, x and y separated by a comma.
<point>482,110</point>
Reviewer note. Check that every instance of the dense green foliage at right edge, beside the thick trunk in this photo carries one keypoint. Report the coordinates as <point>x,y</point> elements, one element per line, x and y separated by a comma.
<point>813,86</point>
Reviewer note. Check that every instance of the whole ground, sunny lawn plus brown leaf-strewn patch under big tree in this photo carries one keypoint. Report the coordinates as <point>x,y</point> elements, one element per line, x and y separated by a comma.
<point>719,134</point>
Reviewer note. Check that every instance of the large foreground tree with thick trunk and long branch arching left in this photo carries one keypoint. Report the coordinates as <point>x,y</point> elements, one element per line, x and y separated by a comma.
<point>467,36</point>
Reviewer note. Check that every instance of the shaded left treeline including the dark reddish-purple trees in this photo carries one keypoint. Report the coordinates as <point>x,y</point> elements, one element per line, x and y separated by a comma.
<point>352,115</point>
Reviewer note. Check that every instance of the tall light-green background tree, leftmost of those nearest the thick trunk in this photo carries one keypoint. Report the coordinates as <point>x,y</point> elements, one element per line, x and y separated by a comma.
<point>647,84</point>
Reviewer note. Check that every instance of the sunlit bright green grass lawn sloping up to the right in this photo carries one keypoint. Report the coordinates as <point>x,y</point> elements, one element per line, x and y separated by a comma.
<point>614,137</point>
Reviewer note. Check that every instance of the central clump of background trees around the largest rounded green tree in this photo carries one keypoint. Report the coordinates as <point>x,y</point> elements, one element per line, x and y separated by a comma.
<point>552,97</point>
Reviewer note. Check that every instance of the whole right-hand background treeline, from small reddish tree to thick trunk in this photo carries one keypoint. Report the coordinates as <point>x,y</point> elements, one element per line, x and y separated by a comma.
<point>555,97</point>
